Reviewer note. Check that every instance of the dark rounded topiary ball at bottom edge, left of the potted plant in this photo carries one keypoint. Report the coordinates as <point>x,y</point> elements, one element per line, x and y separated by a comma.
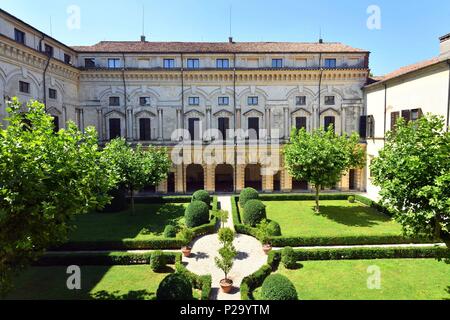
<point>175,286</point>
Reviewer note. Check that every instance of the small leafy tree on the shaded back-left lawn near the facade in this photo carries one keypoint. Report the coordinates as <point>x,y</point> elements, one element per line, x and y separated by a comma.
<point>137,167</point>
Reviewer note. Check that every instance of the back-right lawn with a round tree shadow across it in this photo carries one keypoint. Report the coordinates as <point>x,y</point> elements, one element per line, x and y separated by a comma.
<point>337,218</point>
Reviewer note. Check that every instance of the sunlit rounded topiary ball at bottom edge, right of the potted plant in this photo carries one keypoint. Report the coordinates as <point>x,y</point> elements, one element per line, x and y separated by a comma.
<point>278,287</point>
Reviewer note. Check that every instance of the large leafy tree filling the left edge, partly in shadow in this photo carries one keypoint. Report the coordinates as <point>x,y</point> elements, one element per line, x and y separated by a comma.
<point>45,179</point>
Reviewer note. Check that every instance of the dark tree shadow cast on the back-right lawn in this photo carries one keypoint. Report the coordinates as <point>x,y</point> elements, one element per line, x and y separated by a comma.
<point>353,216</point>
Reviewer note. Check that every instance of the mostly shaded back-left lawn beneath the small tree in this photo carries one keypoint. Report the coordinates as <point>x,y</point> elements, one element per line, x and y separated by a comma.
<point>148,222</point>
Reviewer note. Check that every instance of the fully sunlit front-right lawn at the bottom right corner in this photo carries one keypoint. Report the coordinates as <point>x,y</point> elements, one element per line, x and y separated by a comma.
<point>401,279</point>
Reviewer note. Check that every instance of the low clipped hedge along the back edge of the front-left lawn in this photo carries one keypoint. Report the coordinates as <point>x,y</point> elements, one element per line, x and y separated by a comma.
<point>103,259</point>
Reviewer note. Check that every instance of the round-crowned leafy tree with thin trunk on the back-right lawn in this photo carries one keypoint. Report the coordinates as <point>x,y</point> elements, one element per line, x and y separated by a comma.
<point>322,157</point>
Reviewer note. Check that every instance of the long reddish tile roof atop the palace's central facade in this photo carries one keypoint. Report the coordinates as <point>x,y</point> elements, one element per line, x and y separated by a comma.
<point>217,47</point>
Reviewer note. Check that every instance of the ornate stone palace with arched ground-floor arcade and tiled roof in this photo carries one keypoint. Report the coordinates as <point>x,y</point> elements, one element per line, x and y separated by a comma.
<point>185,96</point>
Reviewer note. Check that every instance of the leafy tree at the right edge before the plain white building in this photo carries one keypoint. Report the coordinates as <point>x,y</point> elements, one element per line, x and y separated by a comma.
<point>413,171</point>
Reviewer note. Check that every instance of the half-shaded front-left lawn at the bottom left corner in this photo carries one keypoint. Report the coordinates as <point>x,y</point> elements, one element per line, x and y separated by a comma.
<point>97,282</point>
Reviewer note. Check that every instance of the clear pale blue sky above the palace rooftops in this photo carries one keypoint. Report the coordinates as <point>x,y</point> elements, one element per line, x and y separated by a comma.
<point>396,32</point>
